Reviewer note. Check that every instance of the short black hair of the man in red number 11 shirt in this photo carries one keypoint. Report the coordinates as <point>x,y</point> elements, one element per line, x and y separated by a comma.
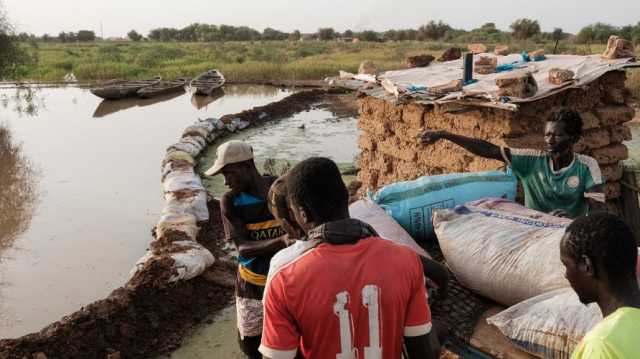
<point>316,185</point>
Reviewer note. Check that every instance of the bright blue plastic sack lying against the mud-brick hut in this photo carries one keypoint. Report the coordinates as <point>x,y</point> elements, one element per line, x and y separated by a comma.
<point>411,203</point>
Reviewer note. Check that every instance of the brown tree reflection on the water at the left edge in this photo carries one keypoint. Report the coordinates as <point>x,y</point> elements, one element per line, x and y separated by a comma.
<point>18,190</point>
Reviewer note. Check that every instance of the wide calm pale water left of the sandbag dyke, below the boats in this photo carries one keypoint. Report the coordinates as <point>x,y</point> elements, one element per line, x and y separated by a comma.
<point>80,191</point>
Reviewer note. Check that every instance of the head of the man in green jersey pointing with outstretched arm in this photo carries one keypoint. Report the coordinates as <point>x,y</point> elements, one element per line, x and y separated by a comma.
<point>562,130</point>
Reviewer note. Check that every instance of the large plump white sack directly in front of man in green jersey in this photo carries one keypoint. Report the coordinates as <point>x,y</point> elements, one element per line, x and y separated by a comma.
<point>502,250</point>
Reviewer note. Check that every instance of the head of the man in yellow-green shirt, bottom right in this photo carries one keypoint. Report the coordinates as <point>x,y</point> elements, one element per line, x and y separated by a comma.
<point>598,252</point>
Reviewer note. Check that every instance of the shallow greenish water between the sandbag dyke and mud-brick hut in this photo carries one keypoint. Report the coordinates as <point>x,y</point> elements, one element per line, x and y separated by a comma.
<point>322,131</point>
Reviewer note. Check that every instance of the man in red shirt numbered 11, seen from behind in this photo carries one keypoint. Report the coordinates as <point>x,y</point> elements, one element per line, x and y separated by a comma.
<point>352,296</point>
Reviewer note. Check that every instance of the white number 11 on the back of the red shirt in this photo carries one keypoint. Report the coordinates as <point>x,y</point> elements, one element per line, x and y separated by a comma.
<point>370,299</point>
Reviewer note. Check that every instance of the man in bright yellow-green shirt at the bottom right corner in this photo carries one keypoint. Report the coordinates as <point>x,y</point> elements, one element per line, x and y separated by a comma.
<point>600,257</point>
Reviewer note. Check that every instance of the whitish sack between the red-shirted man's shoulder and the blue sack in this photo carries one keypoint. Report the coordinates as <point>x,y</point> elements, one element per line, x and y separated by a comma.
<point>387,228</point>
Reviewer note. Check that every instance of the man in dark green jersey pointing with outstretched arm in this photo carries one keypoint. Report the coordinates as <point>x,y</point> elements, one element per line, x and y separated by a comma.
<point>555,180</point>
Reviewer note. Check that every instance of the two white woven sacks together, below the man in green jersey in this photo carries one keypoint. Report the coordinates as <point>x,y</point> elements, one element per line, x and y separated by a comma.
<point>511,254</point>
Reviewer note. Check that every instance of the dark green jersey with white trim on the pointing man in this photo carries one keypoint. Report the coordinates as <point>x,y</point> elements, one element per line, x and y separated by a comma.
<point>546,190</point>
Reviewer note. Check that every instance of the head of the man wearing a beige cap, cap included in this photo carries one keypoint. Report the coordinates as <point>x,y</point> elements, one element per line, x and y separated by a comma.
<point>234,160</point>
